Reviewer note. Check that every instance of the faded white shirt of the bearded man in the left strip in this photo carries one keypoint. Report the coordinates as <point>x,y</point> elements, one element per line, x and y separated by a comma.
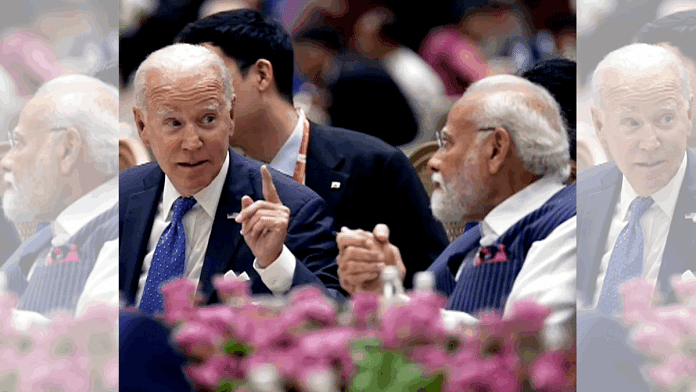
<point>101,285</point>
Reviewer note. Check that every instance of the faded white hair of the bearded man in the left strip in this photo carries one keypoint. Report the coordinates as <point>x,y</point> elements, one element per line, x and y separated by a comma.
<point>90,106</point>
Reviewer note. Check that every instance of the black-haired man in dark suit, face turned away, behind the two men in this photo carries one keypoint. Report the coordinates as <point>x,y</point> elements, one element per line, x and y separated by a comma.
<point>365,181</point>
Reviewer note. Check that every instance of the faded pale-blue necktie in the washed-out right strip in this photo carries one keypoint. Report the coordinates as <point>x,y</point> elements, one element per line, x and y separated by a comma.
<point>626,260</point>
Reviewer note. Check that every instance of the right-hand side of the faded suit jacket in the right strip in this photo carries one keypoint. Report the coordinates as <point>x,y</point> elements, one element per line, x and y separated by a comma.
<point>680,249</point>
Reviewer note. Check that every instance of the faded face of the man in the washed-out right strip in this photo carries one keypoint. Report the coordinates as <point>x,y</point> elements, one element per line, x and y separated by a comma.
<point>645,123</point>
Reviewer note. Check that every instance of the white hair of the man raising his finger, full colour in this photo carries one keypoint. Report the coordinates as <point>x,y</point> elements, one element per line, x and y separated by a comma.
<point>180,59</point>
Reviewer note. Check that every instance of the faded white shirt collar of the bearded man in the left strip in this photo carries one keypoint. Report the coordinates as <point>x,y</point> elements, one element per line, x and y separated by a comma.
<point>84,210</point>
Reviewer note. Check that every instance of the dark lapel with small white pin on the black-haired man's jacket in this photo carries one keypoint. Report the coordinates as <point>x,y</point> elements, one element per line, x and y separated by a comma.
<point>324,164</point>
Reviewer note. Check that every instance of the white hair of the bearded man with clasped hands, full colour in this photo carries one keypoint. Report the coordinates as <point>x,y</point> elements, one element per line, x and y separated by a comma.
<point>532,117</point>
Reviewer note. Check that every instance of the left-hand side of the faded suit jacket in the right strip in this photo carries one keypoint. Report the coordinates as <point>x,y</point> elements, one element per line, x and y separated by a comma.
<point>594,219</point>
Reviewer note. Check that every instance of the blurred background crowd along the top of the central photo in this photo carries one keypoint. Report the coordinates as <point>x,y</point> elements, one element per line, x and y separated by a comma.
<point>392,67</point>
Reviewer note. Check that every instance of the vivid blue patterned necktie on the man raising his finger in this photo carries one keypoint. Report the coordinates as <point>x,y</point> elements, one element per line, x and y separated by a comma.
<point>169,260</point>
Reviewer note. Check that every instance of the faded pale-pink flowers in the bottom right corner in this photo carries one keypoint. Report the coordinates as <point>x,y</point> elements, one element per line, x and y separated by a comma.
<point>665,334</point>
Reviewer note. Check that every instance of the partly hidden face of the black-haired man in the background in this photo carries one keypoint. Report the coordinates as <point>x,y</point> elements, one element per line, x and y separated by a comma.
<point>245,108</point>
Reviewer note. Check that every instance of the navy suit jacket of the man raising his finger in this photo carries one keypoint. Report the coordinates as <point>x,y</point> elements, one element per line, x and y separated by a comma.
<point>309,232</point>
